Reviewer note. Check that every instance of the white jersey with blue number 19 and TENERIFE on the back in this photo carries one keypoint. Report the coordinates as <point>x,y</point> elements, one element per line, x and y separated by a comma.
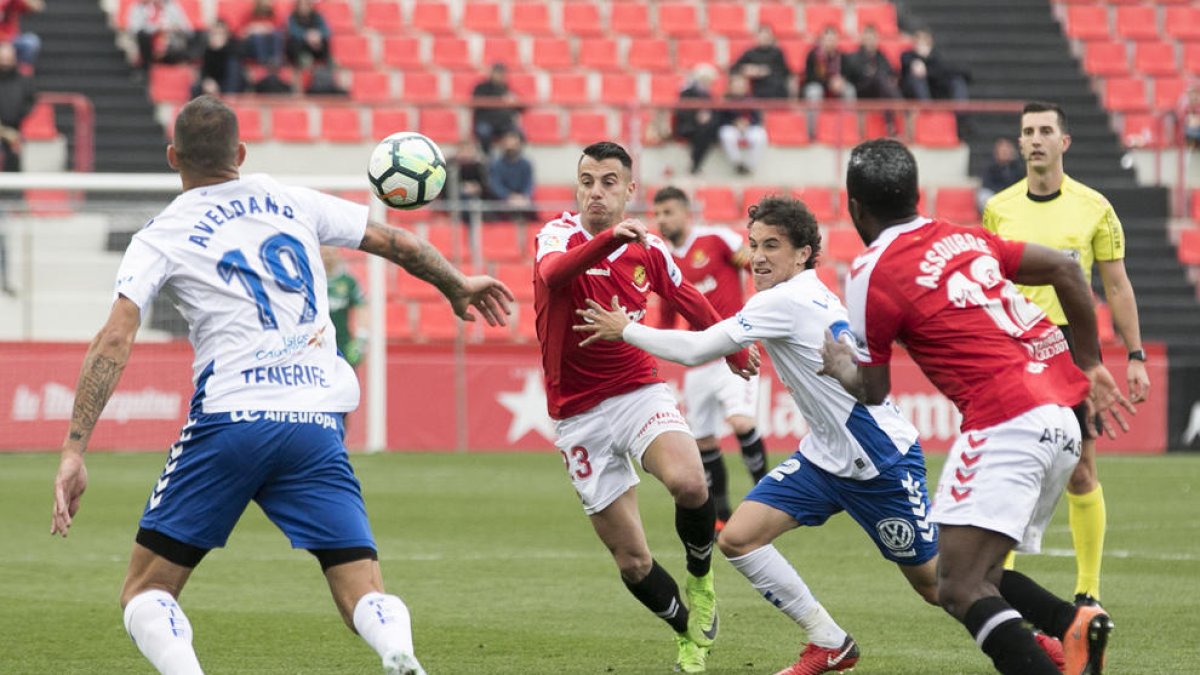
<point>243,264</point>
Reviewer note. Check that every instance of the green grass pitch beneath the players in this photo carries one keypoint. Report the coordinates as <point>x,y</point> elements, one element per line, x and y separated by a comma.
<point>503,575</point>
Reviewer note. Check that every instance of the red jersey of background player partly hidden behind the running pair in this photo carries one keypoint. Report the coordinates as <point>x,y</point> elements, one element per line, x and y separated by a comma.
<point>706,260</point>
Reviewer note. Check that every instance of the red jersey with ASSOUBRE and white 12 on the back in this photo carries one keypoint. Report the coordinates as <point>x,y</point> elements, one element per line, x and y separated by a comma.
<point>944,292</point>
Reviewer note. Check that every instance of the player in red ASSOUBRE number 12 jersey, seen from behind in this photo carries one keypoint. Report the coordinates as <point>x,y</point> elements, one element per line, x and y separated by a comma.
<point>946,292</point>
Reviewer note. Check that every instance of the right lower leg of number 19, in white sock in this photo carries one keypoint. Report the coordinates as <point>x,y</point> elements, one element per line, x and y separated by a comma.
<point>381,619</point>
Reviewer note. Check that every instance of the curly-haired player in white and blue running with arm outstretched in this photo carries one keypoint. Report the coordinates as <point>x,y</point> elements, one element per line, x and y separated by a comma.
<point>865,461</point>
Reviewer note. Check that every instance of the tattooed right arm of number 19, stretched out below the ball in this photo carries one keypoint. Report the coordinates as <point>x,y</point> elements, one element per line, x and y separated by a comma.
<point>423,261</point>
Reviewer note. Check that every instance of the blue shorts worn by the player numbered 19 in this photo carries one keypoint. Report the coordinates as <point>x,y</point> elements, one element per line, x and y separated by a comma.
<point>292,464</point>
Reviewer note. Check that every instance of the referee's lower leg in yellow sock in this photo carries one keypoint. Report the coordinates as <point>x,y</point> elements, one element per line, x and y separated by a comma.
<point>1088,518</point>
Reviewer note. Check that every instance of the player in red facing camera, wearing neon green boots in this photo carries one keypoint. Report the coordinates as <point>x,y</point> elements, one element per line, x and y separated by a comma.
<point>611,408</point>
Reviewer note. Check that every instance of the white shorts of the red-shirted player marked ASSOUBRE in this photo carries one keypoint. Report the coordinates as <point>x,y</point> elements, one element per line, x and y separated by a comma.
<point>1009,479</point>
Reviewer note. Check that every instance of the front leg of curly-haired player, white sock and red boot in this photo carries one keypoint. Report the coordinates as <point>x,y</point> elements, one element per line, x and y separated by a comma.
<point>747,543</point>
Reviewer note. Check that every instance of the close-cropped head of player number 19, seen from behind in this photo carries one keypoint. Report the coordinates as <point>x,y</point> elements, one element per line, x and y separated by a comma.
<point>207,136</point>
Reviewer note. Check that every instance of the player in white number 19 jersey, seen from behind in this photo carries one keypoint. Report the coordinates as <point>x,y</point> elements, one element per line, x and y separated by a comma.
<point>242,256</point>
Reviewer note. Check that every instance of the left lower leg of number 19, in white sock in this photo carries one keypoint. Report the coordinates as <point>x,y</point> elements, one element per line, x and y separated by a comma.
<point>153,617</point>
